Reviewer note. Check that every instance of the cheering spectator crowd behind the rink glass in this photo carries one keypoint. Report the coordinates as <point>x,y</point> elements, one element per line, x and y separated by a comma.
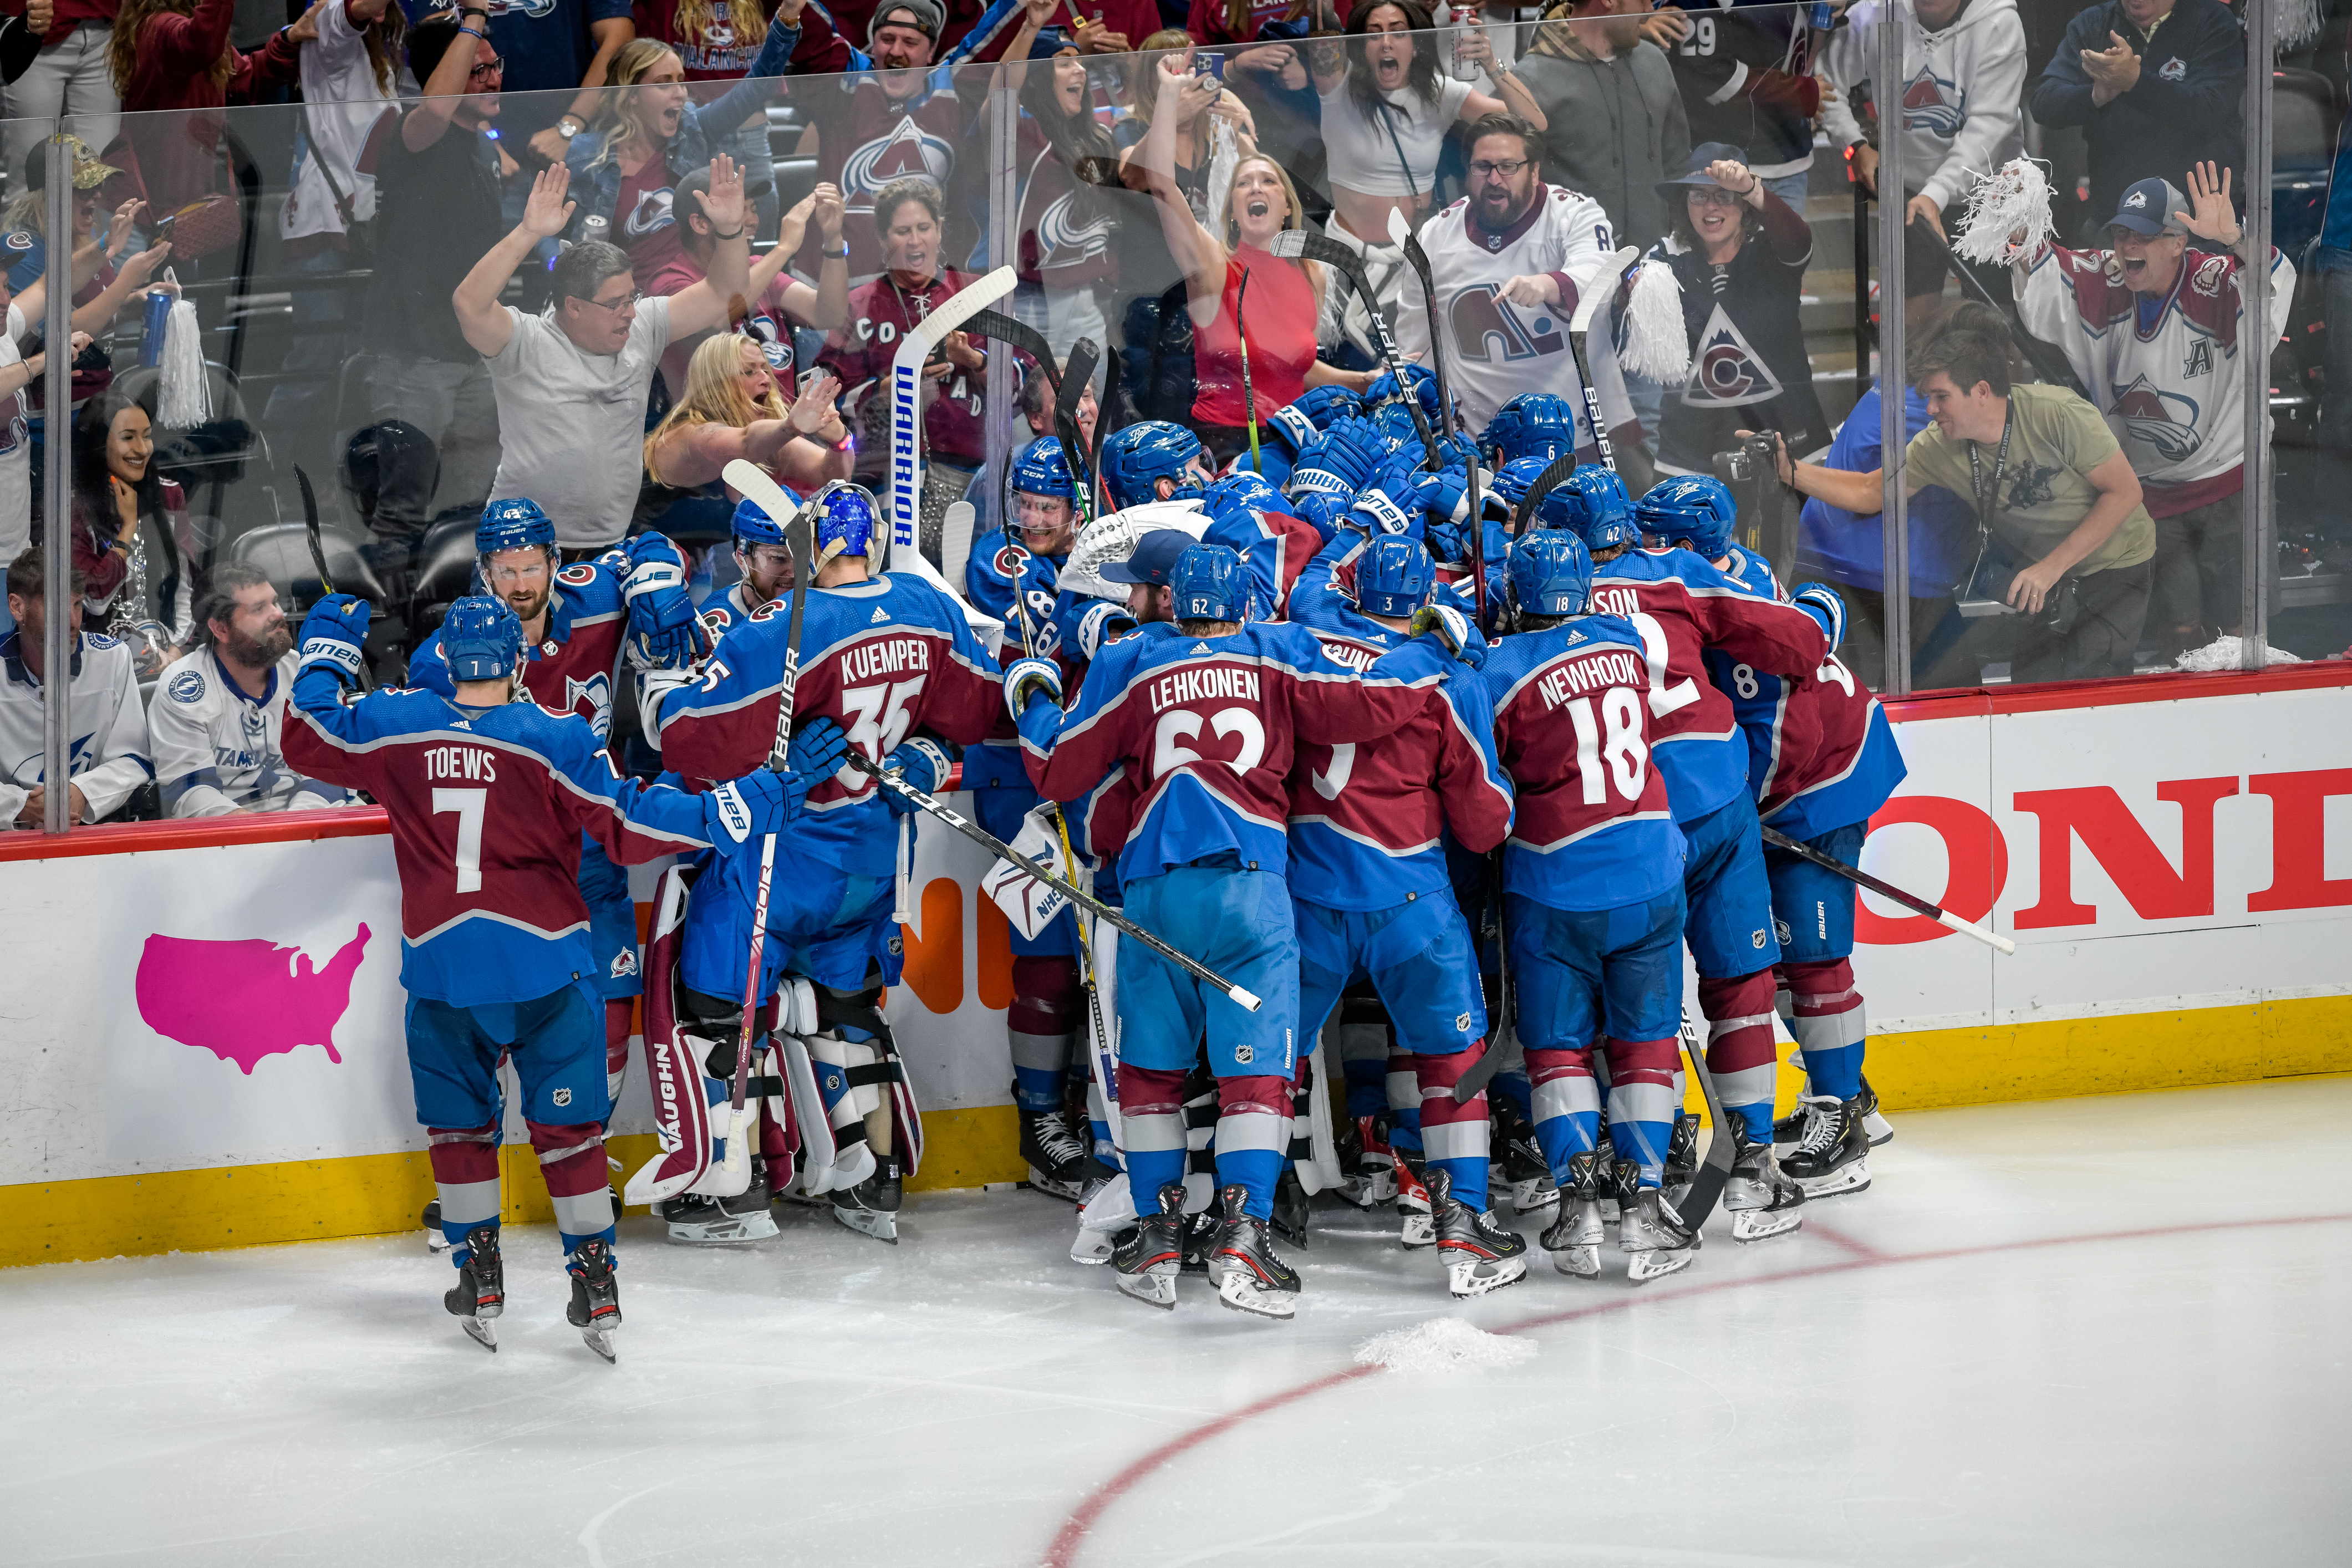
<point>589,253</point>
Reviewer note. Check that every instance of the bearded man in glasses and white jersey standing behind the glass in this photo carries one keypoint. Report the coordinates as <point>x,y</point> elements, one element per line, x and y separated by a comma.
<point>1509,262</point>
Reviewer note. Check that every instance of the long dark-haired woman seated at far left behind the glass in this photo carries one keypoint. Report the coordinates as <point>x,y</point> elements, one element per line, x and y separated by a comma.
<point>133,542</point>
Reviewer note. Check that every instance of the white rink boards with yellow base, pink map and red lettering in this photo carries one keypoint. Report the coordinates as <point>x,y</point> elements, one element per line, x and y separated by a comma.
<point>2172,857</point>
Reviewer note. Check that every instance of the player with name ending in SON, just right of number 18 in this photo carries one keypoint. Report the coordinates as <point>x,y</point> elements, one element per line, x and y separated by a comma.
<point>1683,605</point>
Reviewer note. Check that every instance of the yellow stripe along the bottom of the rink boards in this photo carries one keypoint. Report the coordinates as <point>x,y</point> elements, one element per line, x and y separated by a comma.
<point>370,1195</point>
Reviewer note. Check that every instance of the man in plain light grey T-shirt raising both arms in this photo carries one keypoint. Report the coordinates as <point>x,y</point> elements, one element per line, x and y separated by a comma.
<point>573,382</point>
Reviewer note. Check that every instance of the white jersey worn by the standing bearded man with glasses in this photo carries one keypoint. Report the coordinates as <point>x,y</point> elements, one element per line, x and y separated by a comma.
<point>1495,349</point>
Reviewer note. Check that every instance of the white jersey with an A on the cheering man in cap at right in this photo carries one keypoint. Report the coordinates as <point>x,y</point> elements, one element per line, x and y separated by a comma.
<point>2172,391</point>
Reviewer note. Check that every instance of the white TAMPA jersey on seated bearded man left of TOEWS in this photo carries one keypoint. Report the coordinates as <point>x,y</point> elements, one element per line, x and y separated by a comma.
<point>218,749</point>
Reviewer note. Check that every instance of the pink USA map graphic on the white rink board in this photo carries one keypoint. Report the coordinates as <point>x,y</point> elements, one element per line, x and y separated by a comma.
<point>246,1000</point>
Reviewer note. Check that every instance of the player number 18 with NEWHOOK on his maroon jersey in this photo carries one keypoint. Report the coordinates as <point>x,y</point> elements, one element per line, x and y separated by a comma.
<point>1593,904</point>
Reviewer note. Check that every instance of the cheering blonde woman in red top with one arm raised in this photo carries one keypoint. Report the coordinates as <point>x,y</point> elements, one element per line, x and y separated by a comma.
<point>1285,297</point>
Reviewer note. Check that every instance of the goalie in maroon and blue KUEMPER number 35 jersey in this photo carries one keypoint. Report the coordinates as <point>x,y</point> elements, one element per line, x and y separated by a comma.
<point>893,664</point>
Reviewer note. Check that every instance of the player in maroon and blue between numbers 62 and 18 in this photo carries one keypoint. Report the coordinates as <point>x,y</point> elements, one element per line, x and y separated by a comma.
<point>1375,899</point>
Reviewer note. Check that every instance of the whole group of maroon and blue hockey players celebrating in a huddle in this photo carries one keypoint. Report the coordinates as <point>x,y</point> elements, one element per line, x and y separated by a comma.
<point>1438,753</point>
